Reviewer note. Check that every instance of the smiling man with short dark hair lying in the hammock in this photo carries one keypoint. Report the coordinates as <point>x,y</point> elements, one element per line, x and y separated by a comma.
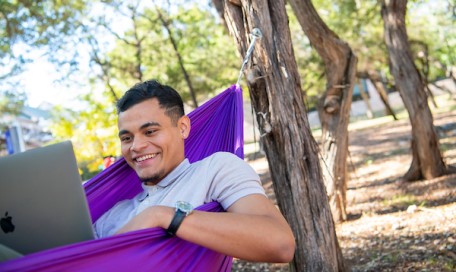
<point>152,129</point>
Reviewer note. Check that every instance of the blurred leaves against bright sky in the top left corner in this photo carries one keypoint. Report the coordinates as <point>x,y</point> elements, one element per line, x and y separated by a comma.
<point>27,25</point>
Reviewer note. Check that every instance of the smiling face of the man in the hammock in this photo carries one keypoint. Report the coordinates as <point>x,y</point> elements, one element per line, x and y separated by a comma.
<point>151,143</point>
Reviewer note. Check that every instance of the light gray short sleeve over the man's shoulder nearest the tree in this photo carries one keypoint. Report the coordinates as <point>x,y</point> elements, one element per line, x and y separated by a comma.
<point>232,179</point>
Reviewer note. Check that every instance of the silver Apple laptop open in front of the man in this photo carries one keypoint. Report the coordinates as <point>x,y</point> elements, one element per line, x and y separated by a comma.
<point>42,201</point>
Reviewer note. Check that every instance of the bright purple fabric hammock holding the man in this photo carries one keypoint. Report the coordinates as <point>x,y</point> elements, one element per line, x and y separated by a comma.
<point>216,126</point>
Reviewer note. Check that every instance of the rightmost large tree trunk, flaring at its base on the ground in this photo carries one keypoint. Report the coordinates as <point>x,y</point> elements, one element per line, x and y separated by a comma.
<point>427,160</point>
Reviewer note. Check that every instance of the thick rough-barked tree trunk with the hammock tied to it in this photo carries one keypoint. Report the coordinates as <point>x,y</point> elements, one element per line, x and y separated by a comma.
<point>292,153</point>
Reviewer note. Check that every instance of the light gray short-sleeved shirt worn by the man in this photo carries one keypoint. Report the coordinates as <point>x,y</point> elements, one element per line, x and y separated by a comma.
<point>221,177</point>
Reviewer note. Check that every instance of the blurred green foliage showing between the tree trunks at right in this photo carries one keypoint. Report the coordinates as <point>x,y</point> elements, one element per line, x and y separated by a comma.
<point>359,23</point>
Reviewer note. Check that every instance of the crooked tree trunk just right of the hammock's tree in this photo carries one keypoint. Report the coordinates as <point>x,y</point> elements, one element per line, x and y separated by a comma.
<point>340,68</point>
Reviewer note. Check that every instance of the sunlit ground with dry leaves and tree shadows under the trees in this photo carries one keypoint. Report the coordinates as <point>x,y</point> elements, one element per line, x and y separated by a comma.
<point>393,225</point>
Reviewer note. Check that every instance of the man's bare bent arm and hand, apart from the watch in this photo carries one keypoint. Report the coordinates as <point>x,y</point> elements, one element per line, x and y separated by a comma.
<point>252,229</point>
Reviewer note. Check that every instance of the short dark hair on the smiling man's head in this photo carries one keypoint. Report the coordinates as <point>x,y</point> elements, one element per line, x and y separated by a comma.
<point>167,97</point>
